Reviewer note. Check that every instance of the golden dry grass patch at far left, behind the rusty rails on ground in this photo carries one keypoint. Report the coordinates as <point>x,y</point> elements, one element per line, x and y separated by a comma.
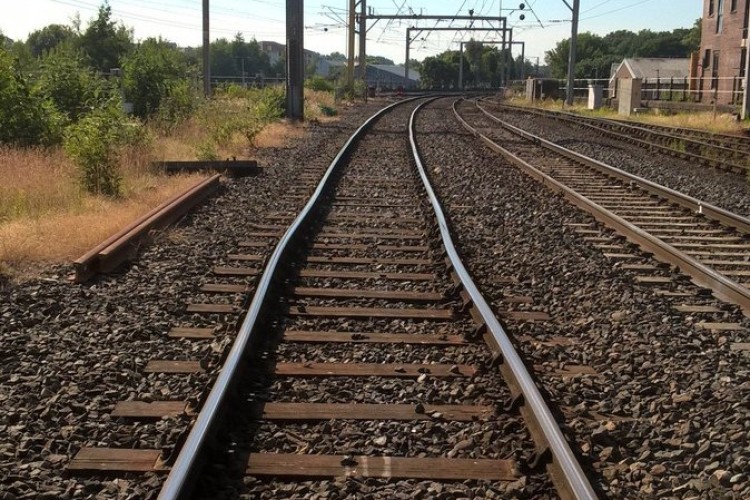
<point>46,218</point>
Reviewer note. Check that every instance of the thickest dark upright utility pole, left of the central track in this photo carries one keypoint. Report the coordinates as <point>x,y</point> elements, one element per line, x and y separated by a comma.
<point>295,60</point>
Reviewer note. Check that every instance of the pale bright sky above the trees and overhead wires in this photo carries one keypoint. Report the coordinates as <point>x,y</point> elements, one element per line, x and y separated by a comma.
<point>546,21</point>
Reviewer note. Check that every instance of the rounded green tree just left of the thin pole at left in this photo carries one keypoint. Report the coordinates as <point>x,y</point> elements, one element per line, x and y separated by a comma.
<point>151,73</point>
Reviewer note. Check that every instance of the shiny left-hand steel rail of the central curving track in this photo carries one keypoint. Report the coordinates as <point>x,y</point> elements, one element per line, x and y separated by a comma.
<point>180,476</point>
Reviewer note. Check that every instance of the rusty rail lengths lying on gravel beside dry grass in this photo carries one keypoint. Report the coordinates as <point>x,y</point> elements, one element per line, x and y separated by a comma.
<point>123,245</point>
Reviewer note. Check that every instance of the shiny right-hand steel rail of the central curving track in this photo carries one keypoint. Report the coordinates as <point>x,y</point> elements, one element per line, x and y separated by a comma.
<point>572,483</point>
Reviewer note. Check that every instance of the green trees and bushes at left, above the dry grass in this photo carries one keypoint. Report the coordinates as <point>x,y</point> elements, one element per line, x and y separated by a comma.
<point>66,85</point>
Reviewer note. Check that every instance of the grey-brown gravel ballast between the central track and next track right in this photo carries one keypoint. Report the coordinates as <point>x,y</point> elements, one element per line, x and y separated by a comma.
<point>663,416</point>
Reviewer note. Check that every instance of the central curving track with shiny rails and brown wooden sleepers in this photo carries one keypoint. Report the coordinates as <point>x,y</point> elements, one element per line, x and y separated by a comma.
<point>552,448</point>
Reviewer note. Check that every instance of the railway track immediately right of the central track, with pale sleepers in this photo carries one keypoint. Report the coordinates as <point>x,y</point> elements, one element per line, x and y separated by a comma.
<point>707,243</point>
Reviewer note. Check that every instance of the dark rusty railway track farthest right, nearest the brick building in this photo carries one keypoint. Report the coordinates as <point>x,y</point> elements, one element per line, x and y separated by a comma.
<point>725,152</point>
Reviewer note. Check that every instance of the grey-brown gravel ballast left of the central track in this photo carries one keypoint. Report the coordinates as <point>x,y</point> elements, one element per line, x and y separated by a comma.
<point>70,352</point>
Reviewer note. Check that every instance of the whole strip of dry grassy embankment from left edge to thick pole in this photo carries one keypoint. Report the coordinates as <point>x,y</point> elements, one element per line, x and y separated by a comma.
<point>46,217</point>
